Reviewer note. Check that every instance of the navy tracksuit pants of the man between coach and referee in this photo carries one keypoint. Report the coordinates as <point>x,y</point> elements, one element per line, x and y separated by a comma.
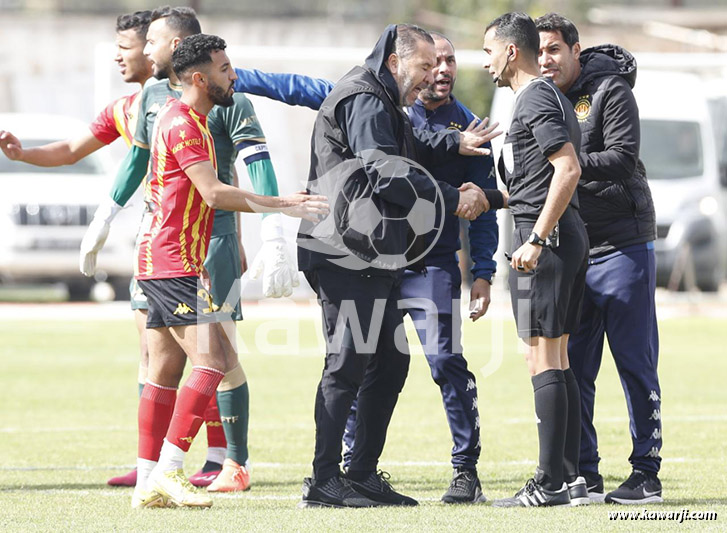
<point>428,298</point>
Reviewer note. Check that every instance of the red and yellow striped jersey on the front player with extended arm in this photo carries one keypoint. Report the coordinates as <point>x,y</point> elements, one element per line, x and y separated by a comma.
<point>177,237</point>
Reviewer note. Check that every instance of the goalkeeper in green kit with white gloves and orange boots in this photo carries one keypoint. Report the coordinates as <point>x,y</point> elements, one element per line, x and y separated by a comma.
<point>235,130</point>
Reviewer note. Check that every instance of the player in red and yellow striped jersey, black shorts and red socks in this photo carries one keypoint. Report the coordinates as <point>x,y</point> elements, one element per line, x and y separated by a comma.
<point>181,193</point>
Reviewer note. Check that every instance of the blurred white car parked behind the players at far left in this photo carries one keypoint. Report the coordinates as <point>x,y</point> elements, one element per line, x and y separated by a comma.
<point>44,212</point>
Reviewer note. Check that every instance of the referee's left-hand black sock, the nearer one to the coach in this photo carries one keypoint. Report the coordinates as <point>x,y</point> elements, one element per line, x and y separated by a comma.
<point>551,407</point>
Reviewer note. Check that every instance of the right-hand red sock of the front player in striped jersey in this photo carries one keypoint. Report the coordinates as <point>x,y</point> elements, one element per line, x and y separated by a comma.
<point>194,398</point>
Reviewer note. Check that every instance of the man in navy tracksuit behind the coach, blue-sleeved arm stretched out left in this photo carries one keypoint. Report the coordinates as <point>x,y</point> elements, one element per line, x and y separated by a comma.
<point>435,109</point>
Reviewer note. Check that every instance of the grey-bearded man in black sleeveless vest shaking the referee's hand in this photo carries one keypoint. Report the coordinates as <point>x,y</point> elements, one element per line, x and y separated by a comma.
<point>365,155</point>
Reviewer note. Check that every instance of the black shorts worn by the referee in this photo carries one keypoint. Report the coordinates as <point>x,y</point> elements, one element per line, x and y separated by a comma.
<point>547,301</point>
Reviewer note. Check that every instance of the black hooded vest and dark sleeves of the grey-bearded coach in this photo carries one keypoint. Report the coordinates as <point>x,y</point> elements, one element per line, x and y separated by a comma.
<point>362,115</point>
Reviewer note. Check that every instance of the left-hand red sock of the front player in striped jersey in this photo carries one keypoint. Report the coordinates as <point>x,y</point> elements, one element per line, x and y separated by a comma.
<point>156,406</point>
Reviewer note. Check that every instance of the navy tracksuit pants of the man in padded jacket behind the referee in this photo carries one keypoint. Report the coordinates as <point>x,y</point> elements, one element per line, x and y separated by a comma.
<point>619,304</point>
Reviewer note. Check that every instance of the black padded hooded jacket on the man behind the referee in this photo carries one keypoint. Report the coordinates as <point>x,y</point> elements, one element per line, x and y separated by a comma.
<point>615,198</point>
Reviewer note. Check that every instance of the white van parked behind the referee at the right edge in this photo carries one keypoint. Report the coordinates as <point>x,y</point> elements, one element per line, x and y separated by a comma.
<point>684,149</point>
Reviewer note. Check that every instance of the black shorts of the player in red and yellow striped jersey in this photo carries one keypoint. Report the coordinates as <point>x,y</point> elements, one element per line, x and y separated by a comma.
<point>177,302</point>
